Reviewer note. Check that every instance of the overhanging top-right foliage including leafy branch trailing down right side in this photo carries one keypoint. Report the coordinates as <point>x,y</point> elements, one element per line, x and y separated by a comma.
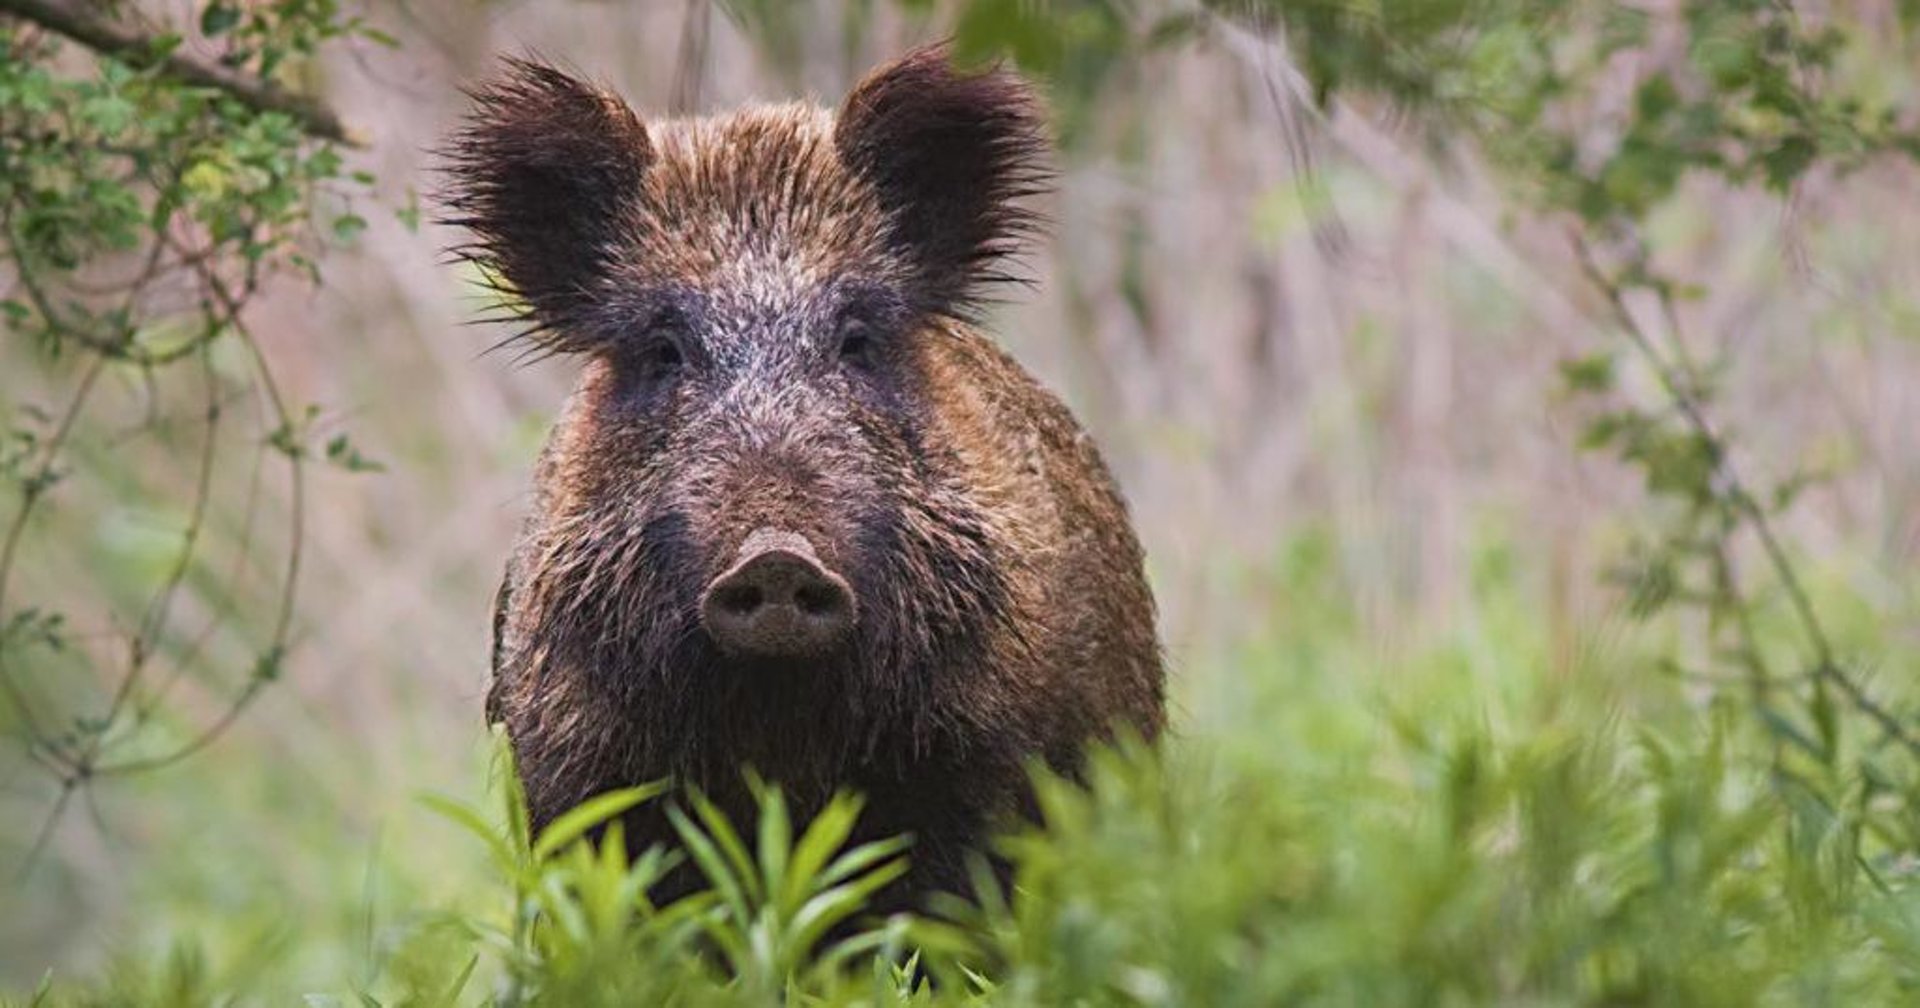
<point>1598,116</point>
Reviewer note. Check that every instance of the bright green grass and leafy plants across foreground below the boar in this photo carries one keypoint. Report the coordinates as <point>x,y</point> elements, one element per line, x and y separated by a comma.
<point>1462,817</point>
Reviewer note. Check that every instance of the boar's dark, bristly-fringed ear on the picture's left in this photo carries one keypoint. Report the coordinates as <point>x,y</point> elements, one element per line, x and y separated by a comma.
<point>544,176</point>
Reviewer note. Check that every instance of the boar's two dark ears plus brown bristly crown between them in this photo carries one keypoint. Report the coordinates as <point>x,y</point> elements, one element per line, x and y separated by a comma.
<point>569,197</point>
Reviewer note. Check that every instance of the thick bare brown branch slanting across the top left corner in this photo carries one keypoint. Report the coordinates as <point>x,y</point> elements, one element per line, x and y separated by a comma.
<point>87,26</point>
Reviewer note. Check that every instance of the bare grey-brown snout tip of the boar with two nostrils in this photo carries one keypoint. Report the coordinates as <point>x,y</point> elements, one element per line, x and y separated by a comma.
<point>779,600</point>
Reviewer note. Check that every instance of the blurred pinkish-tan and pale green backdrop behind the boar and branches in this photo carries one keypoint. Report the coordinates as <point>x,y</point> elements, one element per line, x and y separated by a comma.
<point>1320,350</point>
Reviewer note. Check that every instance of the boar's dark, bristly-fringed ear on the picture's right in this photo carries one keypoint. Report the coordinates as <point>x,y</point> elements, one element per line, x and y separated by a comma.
<point>951,156</point>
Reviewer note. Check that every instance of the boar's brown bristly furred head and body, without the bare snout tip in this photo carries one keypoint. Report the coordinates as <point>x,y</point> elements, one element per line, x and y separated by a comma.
<point>777,316</point>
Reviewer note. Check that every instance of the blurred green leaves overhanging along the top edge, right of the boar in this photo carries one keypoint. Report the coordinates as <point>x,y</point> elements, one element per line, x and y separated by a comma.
<point>1762,91</point>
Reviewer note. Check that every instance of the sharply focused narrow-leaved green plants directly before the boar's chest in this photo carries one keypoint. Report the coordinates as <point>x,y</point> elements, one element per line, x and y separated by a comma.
<point>583,928</point>
